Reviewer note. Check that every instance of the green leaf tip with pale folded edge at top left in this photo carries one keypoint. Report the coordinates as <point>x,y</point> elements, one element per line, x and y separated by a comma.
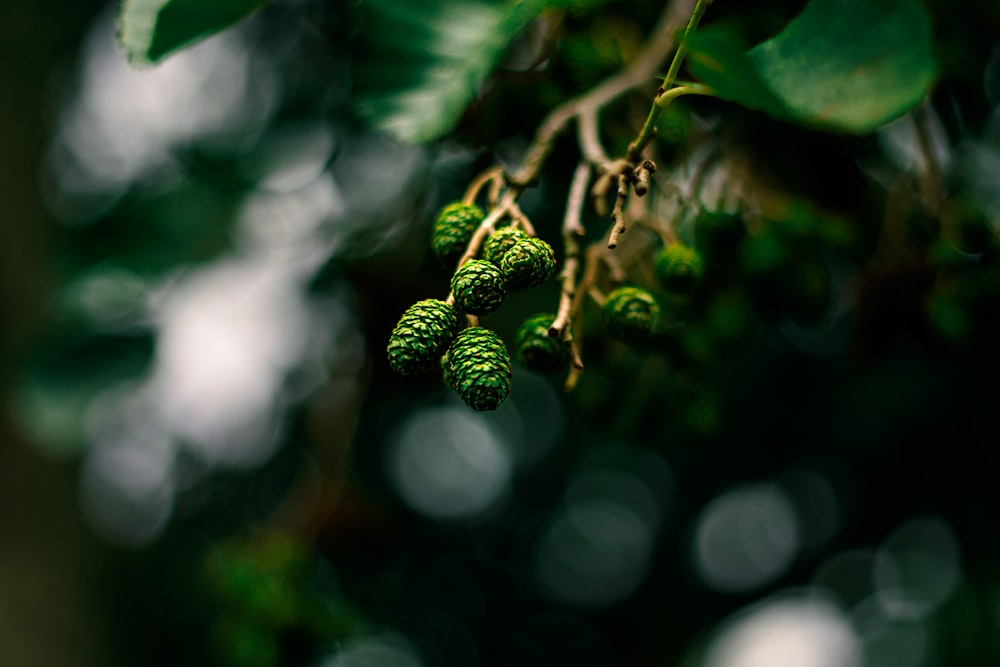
<point>148,30</point>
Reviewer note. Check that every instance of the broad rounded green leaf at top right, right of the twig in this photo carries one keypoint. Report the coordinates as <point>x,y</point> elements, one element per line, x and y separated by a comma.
<point>847,65</point>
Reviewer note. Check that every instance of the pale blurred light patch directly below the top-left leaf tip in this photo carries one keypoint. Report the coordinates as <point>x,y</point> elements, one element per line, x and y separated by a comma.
<point>125,125</point>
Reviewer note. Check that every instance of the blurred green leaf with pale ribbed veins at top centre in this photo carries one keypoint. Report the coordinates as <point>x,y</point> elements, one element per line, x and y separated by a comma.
<point>423,62</point>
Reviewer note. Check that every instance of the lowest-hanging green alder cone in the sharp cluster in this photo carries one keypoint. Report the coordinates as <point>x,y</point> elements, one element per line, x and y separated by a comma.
<point>478,368</point>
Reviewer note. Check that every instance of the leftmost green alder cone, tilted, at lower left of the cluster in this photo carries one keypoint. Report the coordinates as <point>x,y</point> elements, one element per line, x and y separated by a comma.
<point>422,335</point>
